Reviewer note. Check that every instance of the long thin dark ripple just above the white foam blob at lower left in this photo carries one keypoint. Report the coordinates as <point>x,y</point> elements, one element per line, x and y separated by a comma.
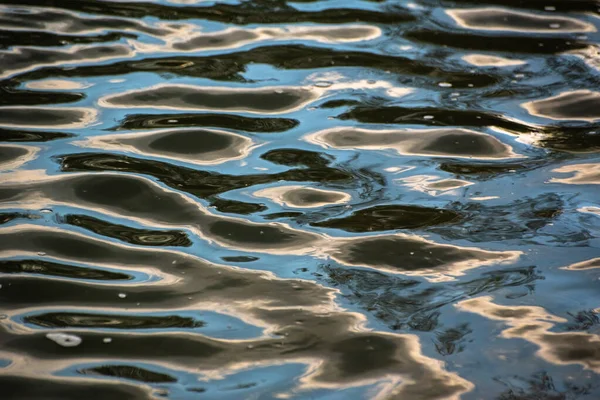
<point>111,321</point>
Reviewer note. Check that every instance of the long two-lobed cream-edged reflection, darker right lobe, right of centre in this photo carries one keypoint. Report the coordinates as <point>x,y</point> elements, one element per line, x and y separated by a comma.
<point>443,142</point>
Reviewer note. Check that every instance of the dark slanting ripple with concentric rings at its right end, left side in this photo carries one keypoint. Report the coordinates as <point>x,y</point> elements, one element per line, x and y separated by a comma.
<point>128,234</point>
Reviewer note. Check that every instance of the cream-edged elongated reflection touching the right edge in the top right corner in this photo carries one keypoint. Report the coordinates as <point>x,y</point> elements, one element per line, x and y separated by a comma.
<point>502,19</point>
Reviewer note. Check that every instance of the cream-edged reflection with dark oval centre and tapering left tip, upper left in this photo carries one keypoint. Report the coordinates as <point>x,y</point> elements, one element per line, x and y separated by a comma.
<point>196,146</point>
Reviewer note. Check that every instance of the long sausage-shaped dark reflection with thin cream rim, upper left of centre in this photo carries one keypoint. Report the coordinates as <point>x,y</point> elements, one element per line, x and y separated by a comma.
<point>184,97</point>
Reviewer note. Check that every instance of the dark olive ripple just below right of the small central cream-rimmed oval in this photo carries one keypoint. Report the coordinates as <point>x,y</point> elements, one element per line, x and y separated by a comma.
<point>390,217</point>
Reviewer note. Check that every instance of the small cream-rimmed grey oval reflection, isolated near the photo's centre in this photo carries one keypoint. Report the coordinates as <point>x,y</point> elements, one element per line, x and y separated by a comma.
<point>302,196</point>
